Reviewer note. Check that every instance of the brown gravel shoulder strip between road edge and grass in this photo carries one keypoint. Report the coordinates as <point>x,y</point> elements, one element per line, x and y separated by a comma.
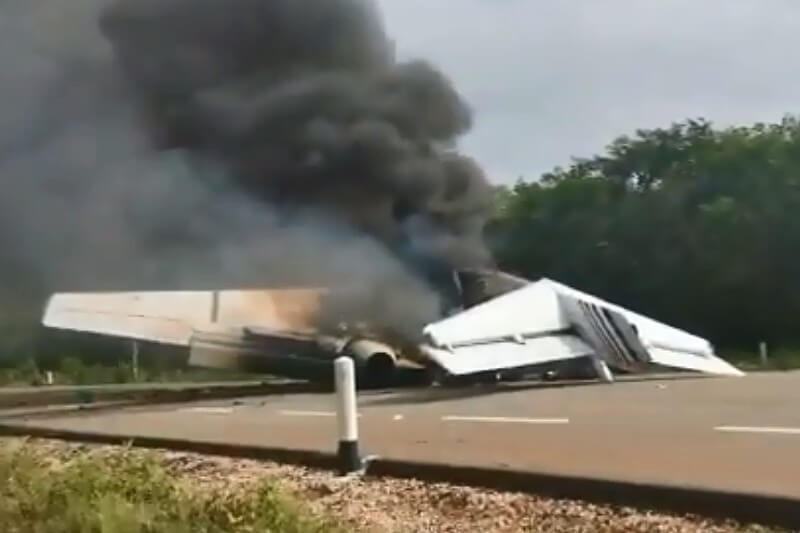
<point>407,506</point>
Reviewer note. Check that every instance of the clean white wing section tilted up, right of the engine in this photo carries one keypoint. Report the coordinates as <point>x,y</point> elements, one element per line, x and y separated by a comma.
<point>546,321</point>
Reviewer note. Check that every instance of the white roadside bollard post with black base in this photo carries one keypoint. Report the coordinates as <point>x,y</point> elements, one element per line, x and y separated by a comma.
<point>347,416</point>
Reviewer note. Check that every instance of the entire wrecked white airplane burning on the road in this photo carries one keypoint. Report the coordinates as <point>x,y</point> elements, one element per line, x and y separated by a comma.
<point>506,326</point>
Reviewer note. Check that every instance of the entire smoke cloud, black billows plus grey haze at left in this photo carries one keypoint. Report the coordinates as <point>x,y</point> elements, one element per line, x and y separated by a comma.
<point>180,143</point>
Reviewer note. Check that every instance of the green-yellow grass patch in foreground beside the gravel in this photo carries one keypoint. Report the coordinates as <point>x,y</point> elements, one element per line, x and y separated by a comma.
<point>133,493</point>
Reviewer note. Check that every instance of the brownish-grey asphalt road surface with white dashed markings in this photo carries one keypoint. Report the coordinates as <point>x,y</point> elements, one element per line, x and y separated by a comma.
<point>735,434</point>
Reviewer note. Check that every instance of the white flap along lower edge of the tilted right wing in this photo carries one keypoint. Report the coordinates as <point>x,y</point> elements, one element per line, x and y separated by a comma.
<point>508,354</point>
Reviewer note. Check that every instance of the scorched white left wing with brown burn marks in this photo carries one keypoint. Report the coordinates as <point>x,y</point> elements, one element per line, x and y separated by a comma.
<point>260,329</point>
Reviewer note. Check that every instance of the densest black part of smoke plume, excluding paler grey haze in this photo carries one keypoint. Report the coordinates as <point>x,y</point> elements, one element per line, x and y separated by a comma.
<point>306,106</point>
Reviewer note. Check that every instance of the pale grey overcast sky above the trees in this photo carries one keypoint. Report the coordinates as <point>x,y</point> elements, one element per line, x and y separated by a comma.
<point>551,79</point>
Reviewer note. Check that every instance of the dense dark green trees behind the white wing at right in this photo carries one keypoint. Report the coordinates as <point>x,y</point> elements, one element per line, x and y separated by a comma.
<point>692,225</point>
